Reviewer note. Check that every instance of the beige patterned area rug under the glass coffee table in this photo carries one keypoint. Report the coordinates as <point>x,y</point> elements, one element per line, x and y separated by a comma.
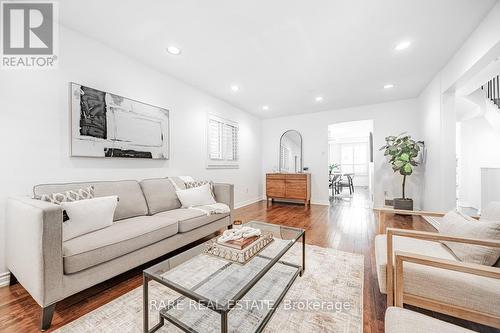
<point>327,298</point>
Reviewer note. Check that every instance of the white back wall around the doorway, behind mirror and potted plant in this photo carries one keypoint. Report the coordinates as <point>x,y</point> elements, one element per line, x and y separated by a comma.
<point>388,119</point>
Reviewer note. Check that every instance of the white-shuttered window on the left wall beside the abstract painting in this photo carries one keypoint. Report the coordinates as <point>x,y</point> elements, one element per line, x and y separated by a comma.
<point>222,143</point>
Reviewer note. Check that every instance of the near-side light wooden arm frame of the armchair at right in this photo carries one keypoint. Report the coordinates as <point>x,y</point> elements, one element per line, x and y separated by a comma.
<point>454,266</point>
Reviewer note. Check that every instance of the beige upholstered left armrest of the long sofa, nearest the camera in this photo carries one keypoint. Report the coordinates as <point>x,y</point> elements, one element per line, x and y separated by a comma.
<point>34,246</point>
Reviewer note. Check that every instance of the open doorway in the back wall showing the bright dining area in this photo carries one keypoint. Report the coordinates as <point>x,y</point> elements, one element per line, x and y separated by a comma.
<point>350,162</point>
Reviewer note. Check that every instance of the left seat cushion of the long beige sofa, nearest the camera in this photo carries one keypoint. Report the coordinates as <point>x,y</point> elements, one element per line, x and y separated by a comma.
<point>114,241</point>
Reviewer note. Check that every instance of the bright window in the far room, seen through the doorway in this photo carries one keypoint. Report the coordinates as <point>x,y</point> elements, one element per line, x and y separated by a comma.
<point>354,158</point>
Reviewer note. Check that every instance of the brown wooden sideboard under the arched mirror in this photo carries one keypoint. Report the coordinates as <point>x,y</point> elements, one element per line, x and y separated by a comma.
<point>292,186</point>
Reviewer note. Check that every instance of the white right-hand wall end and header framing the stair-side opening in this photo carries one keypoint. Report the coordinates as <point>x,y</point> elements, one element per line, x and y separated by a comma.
<point>436,104</point>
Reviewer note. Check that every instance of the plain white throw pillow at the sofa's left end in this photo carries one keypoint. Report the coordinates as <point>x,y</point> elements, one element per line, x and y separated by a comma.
<point>88,215</point>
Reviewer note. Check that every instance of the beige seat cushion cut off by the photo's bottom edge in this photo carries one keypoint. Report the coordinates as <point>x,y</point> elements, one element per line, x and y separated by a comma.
<point>399,320</point>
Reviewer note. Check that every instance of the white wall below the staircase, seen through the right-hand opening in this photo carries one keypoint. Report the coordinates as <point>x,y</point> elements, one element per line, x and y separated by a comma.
<point>479,149</point>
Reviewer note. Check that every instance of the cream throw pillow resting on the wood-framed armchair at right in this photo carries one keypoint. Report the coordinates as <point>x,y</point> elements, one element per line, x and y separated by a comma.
<point>459,225</point>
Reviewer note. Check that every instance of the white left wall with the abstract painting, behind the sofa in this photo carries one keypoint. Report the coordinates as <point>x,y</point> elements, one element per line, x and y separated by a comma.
<point>34,120</point>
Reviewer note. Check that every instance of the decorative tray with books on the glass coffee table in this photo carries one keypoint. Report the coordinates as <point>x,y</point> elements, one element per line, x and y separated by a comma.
<point>241,250</point>
